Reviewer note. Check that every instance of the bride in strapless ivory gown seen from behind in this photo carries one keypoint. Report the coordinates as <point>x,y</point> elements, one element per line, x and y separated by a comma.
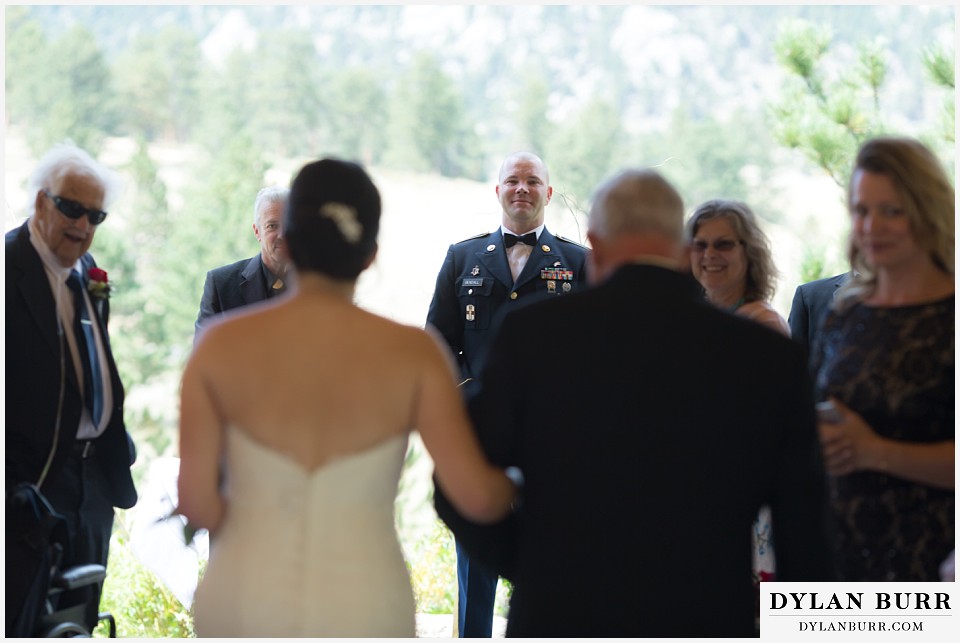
<point>294,420</point>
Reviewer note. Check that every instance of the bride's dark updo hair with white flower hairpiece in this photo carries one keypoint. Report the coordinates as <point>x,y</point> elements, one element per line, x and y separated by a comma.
<point>332,219</point>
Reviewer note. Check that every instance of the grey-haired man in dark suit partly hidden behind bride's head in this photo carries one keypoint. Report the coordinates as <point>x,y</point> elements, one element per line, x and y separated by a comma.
<point>257,278</point>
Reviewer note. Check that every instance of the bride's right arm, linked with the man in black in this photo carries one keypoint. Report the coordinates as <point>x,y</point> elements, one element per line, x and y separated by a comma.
<point>480,492</point>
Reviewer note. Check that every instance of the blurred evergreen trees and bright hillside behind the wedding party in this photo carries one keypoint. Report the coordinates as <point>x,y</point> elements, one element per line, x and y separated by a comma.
<point>199,106</point>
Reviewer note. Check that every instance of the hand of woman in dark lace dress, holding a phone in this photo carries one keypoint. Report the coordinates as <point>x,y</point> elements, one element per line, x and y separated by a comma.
<point>850,444</point>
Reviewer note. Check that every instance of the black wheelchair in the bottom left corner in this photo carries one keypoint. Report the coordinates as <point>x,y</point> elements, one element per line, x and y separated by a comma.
<point>36,537</point>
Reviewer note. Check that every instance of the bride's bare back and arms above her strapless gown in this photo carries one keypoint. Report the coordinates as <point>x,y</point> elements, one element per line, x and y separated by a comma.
<point>315,378</point>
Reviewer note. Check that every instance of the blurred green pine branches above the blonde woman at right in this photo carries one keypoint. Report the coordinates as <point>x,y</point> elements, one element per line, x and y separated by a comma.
<point>831,103</point>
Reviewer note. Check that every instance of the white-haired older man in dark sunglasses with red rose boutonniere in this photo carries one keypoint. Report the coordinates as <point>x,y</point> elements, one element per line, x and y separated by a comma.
<point>64,420</point>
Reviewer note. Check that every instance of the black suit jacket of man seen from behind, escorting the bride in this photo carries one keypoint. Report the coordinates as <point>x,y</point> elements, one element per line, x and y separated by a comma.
<point>650,427</point>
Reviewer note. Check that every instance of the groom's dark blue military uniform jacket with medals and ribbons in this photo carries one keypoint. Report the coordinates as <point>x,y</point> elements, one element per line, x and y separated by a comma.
<point>475,273</point>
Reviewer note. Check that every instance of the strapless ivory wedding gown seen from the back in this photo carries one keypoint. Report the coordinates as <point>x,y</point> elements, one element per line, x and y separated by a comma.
<point>306,553</point>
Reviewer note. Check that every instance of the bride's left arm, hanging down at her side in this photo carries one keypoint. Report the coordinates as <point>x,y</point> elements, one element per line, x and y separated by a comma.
<point>201,437</point>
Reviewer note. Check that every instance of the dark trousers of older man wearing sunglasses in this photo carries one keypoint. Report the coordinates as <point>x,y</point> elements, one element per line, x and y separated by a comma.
<point>77,494</point>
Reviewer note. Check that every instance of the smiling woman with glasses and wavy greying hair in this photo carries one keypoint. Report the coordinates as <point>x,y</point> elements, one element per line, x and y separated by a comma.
<point>730,257</point>
